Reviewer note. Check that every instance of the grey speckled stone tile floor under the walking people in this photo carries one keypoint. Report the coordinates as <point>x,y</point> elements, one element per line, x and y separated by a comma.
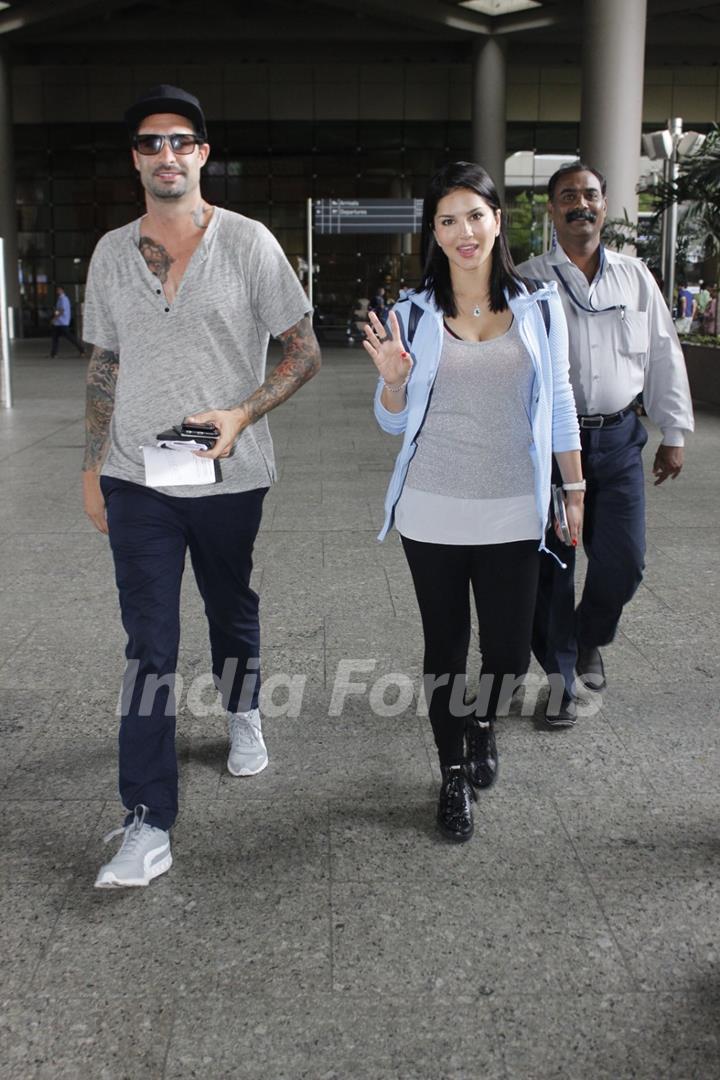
<point>314,925</point>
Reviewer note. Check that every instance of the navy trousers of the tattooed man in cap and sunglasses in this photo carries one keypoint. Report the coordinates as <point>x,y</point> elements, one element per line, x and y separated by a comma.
<point>150,536</point>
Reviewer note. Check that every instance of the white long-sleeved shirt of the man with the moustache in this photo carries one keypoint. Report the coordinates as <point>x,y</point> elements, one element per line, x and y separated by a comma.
<point>617,355</point>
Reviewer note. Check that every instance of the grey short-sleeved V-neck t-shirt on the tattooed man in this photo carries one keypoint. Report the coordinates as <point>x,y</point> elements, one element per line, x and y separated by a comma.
<point>207,350</point>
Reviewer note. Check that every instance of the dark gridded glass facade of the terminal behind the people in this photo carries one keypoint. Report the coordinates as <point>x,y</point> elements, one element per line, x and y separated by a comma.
<point>75,182</point>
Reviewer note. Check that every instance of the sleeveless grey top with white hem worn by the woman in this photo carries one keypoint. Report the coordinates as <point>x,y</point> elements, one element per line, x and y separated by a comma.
<point>472,479</point>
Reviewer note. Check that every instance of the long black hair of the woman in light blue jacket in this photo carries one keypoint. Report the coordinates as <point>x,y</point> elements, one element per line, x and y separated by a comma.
<point>505,278</point>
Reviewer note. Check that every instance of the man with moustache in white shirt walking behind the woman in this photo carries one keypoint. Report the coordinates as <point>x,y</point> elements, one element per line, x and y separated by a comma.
<point>622,344</point>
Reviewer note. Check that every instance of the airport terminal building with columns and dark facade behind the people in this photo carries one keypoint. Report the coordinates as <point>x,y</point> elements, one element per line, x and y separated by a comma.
<point>333,101</point>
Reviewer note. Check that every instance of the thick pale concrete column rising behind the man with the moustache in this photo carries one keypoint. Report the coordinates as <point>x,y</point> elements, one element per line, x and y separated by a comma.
<point>612,118</point>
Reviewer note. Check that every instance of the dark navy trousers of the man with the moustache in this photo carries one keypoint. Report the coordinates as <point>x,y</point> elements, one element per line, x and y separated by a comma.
<point>615,543</point>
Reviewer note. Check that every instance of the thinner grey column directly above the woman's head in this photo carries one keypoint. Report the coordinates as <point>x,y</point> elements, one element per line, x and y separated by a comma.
<point>490,94</point>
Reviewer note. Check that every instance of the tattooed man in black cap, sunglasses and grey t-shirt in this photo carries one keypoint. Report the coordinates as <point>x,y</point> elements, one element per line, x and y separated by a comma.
<point>180,307</point>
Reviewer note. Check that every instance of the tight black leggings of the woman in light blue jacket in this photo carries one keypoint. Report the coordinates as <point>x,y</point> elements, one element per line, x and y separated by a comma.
<point>504,578</point>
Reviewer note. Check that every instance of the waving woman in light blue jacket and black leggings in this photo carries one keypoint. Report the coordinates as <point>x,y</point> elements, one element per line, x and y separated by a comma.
<point>474,375</point>
